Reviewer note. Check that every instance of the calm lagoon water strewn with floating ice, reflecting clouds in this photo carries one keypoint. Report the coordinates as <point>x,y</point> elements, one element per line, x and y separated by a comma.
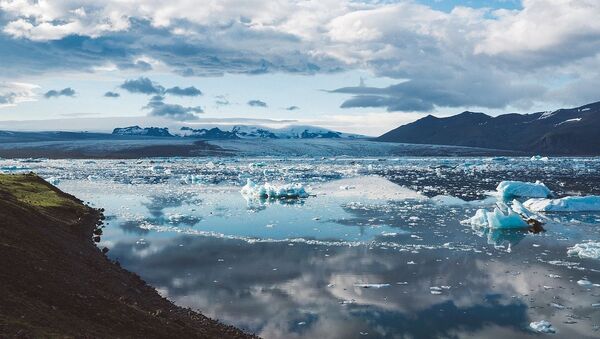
<point>373,248</point>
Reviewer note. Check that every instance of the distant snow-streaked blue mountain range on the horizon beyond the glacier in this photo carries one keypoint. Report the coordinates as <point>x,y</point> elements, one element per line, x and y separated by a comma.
<point>237,132</point>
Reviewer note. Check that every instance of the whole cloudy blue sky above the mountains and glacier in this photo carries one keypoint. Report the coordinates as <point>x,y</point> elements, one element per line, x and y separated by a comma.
<point>354,66</point>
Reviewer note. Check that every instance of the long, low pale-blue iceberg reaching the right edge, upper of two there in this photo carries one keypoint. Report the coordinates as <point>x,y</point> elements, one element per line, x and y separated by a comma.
<point>589,203</point>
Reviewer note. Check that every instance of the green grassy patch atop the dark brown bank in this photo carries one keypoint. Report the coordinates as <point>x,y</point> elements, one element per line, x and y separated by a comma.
<point>32,190</point>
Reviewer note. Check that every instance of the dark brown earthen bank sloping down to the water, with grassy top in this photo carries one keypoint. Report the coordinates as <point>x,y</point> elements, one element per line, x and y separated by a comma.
<point>56,282</point>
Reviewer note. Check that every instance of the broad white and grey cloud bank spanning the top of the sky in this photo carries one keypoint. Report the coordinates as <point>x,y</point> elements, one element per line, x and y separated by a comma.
<point>518,53</point>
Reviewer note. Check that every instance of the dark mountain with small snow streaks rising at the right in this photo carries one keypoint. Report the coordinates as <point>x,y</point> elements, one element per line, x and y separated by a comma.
<point>573,131</point>
